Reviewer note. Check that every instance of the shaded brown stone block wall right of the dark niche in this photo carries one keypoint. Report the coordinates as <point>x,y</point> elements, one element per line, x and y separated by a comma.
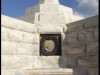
<point>80,46</point>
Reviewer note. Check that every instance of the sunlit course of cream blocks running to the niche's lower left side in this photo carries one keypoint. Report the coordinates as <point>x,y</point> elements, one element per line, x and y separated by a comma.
<point>14,48</point>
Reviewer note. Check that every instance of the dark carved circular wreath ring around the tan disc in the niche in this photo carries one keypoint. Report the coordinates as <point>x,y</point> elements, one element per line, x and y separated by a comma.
<point>43,50</point>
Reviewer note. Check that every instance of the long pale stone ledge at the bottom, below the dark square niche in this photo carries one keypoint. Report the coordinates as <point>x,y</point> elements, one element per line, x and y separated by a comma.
<point>50,72</point>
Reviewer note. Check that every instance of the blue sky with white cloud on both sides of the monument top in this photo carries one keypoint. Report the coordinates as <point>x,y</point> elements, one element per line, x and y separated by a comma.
<point>16,8</point>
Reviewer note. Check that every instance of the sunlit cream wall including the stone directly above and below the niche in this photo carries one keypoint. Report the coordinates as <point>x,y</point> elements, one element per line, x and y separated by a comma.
<point>21,45</point>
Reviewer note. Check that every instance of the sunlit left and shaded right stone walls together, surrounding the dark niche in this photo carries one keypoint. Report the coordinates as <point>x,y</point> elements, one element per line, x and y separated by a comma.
<point>21,45</point>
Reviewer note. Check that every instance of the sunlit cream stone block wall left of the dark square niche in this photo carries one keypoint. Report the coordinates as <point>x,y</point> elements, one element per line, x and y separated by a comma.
<point>20,45</point>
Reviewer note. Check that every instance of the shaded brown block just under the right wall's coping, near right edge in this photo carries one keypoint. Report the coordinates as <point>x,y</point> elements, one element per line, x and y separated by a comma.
<point>86,36</point>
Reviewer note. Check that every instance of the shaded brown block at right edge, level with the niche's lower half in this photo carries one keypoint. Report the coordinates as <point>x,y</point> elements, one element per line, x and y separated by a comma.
<point>92,47</point>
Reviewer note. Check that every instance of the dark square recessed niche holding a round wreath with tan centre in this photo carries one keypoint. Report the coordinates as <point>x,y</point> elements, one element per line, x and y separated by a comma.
<point>50,44</point>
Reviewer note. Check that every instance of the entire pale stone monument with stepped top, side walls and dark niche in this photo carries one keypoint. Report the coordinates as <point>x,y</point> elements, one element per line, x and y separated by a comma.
<point>43,43</point>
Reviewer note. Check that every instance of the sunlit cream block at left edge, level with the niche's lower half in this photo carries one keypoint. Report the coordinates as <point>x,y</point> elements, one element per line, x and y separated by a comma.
<point>8,48</point>
